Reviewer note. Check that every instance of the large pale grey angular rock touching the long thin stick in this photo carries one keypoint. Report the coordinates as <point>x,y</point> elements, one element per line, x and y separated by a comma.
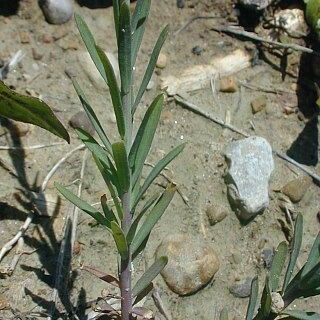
<point>250,164</point>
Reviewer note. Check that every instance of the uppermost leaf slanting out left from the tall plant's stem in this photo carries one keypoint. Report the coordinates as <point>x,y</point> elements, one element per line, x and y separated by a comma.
<point>90,44</point>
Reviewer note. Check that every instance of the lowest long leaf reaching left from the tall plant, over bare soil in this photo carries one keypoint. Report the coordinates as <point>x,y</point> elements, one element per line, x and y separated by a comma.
<point>82,205</point>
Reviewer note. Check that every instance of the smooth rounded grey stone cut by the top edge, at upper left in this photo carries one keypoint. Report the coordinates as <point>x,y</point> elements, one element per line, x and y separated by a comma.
<point>57,11</point>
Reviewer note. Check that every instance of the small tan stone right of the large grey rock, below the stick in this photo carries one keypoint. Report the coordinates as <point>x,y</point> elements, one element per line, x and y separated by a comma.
<point>296,189</point>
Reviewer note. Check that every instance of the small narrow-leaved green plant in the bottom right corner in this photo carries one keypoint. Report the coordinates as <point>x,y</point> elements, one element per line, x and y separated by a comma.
<point>276,299</point>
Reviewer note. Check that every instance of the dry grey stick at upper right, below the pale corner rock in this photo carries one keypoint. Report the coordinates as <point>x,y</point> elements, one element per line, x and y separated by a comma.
<point>250,35</point>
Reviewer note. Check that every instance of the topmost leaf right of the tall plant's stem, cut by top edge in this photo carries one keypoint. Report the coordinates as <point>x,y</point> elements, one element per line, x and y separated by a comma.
<point>138,25</point>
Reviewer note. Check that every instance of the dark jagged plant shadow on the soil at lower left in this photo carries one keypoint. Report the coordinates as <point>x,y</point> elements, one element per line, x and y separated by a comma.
<point>44,238</point>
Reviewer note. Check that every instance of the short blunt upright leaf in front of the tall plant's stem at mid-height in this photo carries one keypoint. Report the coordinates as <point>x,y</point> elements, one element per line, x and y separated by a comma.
<point>121,161</point>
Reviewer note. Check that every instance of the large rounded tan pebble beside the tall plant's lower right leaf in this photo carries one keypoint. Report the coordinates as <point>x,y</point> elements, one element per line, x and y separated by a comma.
<point>192,263</point>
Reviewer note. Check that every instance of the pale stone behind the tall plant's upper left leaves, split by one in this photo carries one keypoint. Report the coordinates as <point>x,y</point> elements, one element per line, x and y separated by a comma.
<point>91,70</point>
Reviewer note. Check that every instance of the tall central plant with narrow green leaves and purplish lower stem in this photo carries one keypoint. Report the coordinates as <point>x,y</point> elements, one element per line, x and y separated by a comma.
<point>121,162</point>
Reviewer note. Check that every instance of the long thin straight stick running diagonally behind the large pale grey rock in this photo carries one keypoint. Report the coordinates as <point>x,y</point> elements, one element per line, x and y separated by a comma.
<point>192,107</point>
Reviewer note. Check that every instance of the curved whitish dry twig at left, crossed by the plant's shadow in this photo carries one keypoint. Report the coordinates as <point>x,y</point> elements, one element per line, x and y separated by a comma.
<point>8,246</point>
